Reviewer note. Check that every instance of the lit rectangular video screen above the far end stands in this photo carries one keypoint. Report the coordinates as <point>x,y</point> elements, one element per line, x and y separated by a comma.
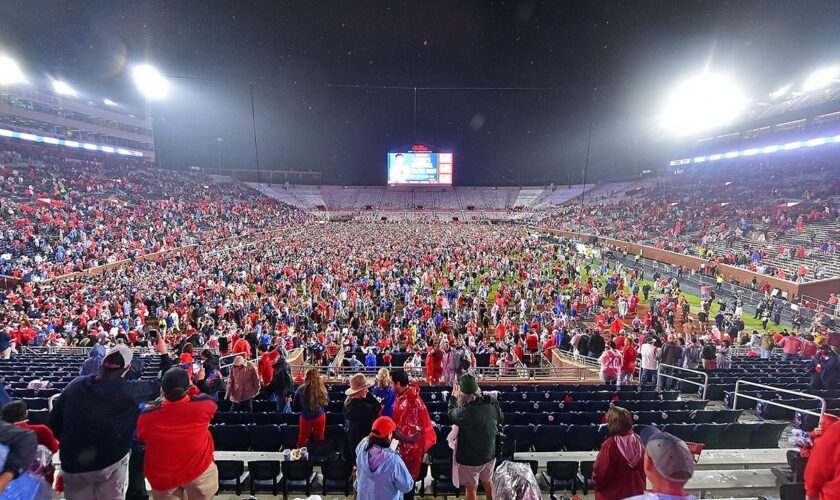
<point>419,167</point>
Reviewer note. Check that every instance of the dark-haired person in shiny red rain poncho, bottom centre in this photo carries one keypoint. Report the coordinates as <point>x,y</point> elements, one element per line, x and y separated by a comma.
<point>414,427</point>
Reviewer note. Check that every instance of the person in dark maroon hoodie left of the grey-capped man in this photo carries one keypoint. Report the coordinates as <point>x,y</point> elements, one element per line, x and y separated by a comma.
<point>619,470</point>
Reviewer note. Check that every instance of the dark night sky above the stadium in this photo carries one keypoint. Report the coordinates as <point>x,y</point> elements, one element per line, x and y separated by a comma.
<point>318,67</point>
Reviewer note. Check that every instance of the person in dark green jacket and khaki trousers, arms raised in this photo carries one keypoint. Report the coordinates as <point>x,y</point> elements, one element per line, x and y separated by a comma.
<point>478,418</point>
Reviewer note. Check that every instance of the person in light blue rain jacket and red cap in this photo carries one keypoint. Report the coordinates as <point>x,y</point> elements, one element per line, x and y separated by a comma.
<point>380,472</point>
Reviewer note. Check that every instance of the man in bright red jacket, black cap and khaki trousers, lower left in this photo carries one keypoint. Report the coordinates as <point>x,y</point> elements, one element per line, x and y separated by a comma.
<point>179,447</point>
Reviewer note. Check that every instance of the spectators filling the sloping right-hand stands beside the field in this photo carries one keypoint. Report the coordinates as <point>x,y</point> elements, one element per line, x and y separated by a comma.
<point>790,232</point>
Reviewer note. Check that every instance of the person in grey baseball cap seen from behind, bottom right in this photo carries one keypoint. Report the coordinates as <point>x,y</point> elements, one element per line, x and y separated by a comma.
<point>668,466</point>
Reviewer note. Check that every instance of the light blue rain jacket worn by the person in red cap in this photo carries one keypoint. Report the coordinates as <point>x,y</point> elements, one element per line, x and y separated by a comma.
<point>380,474</point>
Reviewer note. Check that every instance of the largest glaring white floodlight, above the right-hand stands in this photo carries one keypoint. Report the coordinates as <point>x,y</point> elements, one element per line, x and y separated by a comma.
<point>702,103</point>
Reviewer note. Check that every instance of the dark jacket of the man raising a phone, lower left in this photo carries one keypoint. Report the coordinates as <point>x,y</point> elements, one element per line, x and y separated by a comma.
<point>95,420</point>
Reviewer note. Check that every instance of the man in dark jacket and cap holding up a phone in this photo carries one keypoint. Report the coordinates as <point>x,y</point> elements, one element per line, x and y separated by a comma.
<point>95,418</point>
